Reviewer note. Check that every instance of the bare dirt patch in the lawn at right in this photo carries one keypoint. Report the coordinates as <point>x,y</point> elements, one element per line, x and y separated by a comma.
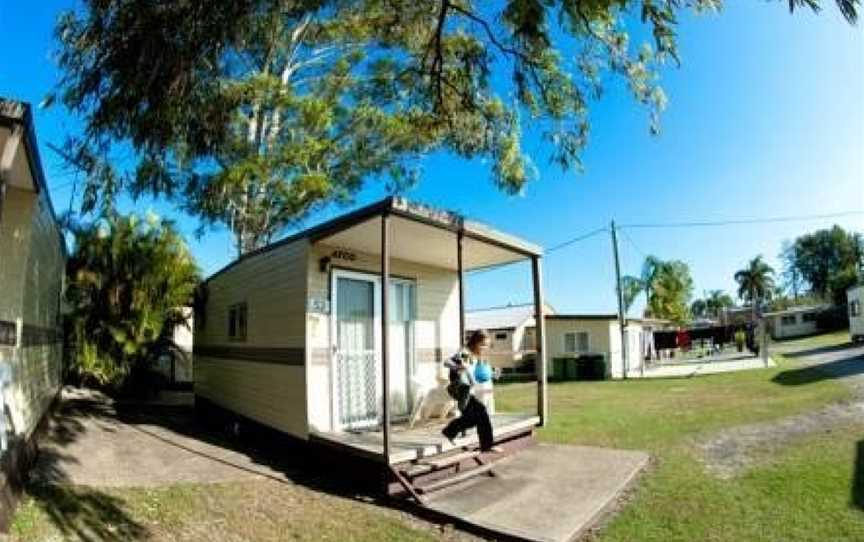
<point>732,451</point>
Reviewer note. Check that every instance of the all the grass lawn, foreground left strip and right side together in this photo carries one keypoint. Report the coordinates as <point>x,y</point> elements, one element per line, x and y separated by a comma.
<point>802,491</point>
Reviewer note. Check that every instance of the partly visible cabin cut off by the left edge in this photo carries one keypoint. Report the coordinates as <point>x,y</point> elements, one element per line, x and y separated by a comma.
<point>32,267</point>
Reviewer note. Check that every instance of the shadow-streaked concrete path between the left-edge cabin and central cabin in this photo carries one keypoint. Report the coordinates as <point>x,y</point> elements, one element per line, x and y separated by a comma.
<point>90,443</point>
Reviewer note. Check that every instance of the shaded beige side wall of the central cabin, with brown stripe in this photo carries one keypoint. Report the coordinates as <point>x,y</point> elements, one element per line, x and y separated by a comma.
<point>273,285</point>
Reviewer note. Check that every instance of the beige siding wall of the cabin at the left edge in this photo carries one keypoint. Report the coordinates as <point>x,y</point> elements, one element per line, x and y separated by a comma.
<point>31,281</point>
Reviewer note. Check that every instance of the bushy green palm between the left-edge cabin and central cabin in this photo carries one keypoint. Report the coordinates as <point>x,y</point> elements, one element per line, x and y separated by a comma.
<point>128,281</point>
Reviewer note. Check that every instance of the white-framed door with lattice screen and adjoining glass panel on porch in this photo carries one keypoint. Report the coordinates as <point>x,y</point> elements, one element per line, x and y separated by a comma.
<point>357,383</point>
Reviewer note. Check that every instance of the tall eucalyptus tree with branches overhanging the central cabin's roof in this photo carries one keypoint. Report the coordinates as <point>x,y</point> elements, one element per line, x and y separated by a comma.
<point>252,113</point>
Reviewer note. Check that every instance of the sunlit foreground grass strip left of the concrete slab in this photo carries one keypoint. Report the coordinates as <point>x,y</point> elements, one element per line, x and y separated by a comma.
<point>239,511</point>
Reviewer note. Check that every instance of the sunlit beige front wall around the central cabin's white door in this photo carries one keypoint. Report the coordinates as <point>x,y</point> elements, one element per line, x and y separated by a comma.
<point>436,328</point>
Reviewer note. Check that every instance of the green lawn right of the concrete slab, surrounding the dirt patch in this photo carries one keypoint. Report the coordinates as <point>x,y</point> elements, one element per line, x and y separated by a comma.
<point>803,492</point>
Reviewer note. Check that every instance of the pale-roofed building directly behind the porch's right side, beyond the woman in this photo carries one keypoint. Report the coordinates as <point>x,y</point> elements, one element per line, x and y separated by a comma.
<point>511,334</point>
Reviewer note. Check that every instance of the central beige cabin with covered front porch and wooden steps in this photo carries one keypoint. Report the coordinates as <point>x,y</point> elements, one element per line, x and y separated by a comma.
<point>334,337</point>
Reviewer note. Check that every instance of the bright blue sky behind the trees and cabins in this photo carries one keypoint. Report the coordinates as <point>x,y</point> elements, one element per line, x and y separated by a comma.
<point>766,118</point>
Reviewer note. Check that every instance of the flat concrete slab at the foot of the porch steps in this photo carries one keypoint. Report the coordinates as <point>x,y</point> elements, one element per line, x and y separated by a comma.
<point>547,492</point>
